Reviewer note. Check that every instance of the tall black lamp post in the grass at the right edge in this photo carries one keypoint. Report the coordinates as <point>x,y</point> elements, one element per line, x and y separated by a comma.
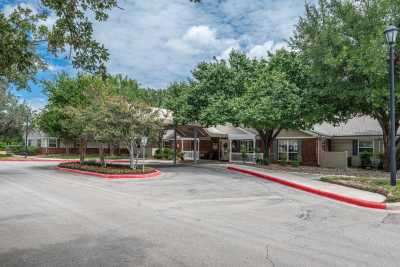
<point>391,34</point>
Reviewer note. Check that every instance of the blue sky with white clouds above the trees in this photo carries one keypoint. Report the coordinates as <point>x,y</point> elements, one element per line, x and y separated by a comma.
<point>157,42</point>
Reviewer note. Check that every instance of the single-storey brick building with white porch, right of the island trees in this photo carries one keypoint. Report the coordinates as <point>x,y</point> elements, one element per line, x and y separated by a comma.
<point>324,145</point>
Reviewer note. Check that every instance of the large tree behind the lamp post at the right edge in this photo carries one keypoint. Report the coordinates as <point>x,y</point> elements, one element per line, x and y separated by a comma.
<point>343,42</point>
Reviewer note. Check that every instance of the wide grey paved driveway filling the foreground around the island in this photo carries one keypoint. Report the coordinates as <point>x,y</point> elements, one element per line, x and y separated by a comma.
<point>188,216</point>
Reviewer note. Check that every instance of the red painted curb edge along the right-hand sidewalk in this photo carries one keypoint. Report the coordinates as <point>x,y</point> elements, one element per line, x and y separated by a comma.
<point>350,200</point>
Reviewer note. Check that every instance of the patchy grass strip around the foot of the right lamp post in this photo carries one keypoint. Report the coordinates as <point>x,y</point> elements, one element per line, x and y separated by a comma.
<point>381,186</point>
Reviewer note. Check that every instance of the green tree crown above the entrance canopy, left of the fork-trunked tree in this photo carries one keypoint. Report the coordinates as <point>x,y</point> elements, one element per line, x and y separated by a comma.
<point>215,84</point>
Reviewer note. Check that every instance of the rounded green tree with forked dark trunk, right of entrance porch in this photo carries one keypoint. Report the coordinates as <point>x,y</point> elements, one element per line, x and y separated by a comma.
<point>271,103</point>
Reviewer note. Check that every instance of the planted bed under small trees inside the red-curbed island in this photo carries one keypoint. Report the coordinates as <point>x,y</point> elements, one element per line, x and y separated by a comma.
<point>108,169</point>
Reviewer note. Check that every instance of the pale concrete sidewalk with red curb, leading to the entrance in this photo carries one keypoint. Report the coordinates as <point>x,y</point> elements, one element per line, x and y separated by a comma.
<point>321,188</point>
